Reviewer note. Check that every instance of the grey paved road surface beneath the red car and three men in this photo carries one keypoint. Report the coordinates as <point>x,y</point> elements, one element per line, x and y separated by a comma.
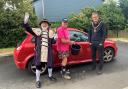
<point>115,75</point>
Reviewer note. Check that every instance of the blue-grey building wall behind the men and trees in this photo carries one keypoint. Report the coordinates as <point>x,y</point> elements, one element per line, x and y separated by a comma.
<point>55,10</point>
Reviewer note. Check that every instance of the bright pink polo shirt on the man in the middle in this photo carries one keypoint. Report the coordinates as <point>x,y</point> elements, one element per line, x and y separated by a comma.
<point>62,33</point>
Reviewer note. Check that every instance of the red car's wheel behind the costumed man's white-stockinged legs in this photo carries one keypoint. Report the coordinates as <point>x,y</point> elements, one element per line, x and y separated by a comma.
<point>32,67</point>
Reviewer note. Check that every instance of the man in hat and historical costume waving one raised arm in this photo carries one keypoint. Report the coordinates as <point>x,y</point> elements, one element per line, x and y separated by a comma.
<point>43,47</point>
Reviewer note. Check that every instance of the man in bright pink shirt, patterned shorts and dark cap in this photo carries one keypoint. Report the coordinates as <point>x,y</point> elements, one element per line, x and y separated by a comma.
<point>63,44</point>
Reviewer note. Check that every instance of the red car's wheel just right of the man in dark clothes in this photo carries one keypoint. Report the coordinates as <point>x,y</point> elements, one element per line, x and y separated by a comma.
<point>108,54</point>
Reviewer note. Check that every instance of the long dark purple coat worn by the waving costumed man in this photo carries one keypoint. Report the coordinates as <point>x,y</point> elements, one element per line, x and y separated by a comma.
<point>38,43</point>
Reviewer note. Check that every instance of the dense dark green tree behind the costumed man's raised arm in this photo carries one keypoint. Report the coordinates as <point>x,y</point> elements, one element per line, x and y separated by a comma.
<point>11,19</point>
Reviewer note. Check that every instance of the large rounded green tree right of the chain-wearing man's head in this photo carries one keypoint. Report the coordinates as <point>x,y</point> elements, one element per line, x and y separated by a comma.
<point>112,15</point>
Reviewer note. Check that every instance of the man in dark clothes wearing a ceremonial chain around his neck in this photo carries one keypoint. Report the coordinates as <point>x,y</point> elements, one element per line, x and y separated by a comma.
<point>97,34</point>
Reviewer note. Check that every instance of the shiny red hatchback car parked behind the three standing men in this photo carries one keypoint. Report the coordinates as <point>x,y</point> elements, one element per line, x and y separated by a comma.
<point>24,53</point>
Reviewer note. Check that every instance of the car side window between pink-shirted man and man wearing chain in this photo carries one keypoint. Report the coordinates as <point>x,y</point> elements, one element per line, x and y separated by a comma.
<point>78,36</point>
